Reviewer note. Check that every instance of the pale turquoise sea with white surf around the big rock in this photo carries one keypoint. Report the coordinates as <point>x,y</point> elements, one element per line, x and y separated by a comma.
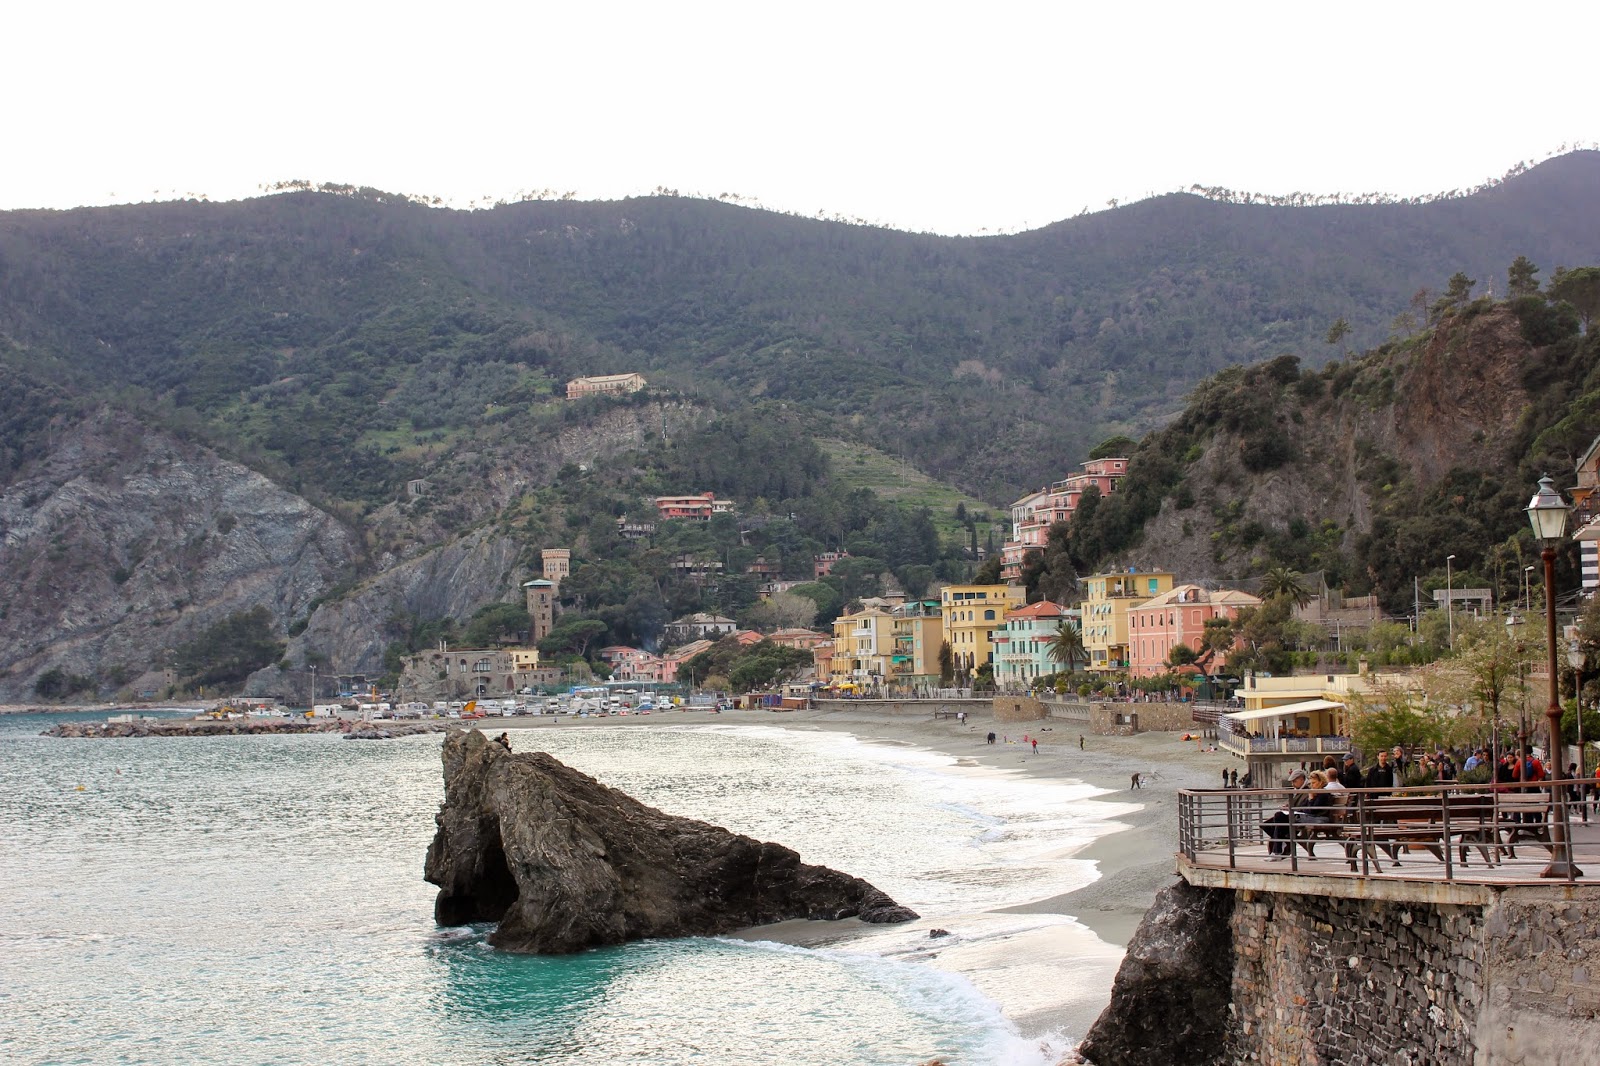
<point>262,900</point>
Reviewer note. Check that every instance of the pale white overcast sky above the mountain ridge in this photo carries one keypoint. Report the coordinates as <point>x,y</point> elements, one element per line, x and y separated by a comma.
<point>954,119</point>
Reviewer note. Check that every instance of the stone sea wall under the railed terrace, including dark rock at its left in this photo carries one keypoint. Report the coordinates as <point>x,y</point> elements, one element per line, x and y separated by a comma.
<point>1330,980</point>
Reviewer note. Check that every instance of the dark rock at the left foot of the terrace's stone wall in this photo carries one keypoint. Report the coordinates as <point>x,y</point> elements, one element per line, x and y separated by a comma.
<point>1170,1000</point>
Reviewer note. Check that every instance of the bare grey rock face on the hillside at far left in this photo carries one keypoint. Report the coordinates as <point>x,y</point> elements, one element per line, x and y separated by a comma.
<point>124,543</point>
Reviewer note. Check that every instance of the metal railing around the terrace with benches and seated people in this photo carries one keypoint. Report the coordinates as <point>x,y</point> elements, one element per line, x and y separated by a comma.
<point>1470,833</point>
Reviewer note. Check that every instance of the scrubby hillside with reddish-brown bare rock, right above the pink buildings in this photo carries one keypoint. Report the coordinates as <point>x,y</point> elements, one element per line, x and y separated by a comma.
<point>1369,471</point>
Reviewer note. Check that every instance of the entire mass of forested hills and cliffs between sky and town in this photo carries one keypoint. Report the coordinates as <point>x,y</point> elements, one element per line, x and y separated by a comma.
<point>212,414</point>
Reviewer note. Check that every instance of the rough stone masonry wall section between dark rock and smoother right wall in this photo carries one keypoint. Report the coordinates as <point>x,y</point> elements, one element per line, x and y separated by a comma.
<point>1327,982</point>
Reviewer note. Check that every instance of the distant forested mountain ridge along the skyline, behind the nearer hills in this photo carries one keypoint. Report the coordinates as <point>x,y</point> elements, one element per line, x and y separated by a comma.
<point>314,324</point>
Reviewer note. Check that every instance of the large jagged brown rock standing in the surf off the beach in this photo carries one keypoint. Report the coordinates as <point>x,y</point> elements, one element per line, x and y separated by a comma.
<point>567,864</point>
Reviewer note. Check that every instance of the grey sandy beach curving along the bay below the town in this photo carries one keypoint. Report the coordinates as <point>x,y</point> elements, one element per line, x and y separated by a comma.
<point>1076,960</point>
